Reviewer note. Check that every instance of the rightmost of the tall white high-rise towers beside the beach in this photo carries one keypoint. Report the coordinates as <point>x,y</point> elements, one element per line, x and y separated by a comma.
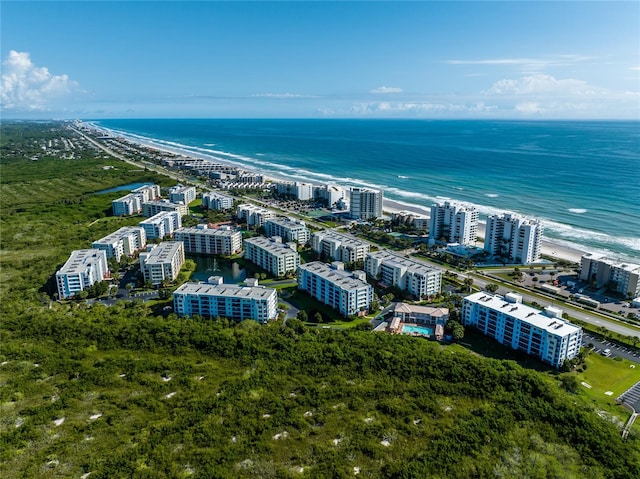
<point>514,237</point>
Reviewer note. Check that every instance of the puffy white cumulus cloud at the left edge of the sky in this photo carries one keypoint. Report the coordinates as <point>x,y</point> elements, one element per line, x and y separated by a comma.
<point>26,86</point>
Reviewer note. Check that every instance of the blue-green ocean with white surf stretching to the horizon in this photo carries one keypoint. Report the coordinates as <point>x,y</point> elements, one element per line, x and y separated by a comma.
<point>581,178</point>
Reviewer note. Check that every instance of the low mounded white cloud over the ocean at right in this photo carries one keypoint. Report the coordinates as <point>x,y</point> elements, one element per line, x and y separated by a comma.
<point>542,84</point>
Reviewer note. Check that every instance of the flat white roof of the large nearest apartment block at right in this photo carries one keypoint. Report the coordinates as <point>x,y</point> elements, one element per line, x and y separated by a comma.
<point>534,317</point>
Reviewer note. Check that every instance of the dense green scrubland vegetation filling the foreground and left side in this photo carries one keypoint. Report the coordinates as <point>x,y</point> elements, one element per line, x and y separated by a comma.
<point>119,392</point>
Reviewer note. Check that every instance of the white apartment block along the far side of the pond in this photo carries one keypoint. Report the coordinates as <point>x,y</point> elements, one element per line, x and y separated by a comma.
<point>200,239</point>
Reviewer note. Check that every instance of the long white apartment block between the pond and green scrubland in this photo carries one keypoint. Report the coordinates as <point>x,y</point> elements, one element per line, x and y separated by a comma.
<point>215,299</point>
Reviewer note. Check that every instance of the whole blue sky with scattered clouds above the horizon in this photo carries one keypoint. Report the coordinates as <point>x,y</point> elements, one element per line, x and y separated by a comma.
<point>449,59</point>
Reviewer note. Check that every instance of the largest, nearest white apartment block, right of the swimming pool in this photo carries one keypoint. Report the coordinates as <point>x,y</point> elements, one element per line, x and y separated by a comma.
<point>544,335</point>
